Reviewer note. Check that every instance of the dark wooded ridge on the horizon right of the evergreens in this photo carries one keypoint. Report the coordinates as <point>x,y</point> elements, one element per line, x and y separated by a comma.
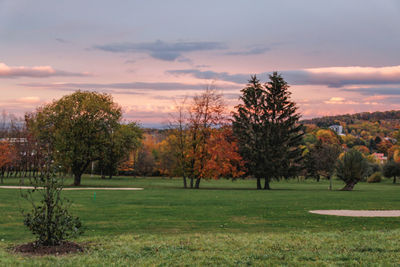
<point>355,118</point>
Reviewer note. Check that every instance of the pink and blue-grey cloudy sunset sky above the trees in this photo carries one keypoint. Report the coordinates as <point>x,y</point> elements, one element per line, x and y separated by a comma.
<point>338,56</point>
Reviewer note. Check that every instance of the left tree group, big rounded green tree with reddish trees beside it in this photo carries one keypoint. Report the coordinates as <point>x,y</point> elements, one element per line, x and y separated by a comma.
<point>78,129</point>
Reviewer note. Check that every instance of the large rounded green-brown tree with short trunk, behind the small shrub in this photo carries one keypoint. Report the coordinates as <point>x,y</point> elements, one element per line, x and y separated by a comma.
<point>76,128</point>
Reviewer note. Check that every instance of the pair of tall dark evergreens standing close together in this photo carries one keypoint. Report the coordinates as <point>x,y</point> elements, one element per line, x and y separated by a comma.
<point>266,124</point>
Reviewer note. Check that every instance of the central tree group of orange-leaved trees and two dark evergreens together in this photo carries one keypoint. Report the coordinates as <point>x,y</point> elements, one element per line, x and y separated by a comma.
<point>261,139</point>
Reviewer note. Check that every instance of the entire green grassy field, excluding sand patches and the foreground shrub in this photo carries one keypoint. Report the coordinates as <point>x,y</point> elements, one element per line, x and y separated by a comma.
<point>224,223</point>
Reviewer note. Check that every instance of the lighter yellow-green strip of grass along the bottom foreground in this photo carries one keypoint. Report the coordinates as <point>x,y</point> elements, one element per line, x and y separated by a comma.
<point>376,248</point>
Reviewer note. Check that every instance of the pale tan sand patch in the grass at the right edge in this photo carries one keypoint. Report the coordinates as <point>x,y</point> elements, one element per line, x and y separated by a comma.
<point>359,213</point>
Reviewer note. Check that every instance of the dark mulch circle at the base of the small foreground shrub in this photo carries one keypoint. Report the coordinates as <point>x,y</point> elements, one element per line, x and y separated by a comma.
<point>40,250</point>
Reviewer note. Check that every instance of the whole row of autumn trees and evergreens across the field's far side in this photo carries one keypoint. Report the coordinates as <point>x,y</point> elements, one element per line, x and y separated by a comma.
<point>261,138</point>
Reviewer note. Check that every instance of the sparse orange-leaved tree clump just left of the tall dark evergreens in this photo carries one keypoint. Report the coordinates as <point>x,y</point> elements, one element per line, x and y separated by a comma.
<point>203,148</point>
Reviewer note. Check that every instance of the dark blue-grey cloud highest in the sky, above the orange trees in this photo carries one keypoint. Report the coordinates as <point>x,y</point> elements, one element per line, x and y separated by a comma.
<point>161,50</point>
